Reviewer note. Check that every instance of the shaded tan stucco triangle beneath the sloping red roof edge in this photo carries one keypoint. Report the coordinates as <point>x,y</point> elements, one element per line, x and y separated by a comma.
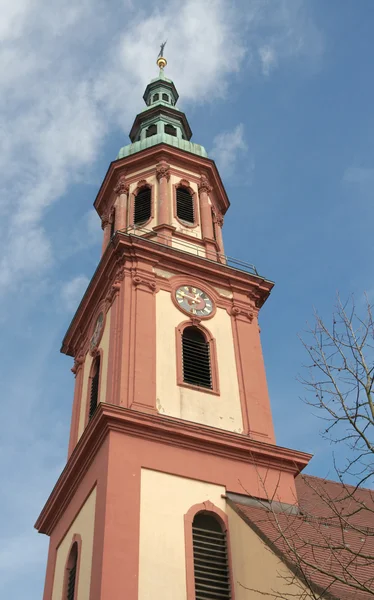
<point>256,567</point>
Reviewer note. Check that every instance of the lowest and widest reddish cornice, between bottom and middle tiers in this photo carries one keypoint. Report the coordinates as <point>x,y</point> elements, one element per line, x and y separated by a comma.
<point>165,430</point>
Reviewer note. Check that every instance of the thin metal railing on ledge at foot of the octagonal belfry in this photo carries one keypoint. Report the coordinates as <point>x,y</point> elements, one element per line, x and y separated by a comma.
<point>183,246</point>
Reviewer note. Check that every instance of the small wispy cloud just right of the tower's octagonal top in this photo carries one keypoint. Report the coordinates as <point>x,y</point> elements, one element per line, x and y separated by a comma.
<point>227,149</point>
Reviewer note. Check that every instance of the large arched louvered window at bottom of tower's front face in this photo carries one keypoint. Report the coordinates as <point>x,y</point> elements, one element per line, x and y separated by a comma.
<point>211,567</point>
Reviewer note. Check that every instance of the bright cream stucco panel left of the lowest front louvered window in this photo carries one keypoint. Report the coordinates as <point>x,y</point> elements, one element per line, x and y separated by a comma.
<point>165,499</point>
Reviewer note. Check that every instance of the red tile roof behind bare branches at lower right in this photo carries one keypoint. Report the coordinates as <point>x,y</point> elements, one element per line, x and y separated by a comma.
<point>331,538</point>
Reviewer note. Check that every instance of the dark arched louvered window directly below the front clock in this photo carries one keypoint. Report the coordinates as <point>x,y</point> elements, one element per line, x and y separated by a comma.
<point>196,358</point>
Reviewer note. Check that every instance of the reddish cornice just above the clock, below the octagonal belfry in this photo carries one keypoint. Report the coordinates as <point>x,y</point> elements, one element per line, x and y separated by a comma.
<point>127,247</point>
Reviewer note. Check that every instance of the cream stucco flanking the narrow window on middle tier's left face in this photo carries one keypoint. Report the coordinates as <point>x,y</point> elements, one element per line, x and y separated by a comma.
<point>104,346</point>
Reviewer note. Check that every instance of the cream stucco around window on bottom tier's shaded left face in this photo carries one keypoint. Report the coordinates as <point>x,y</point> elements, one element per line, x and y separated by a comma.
<point>83,525</point>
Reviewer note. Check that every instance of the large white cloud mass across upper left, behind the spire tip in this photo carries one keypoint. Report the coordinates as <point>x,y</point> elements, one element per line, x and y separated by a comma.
<point>65,83</point>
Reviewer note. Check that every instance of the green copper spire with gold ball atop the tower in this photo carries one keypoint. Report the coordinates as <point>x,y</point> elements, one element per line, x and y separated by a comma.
<point>161,122</point>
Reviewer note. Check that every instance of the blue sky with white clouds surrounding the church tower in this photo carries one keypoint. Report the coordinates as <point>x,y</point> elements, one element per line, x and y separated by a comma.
<point>280,92</point>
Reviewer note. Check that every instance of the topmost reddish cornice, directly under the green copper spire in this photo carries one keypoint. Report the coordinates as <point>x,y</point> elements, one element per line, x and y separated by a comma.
<point>151,156</point>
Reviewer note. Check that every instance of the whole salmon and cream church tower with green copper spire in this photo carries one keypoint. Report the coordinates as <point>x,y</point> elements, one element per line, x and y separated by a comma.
<point>171,414</point>
